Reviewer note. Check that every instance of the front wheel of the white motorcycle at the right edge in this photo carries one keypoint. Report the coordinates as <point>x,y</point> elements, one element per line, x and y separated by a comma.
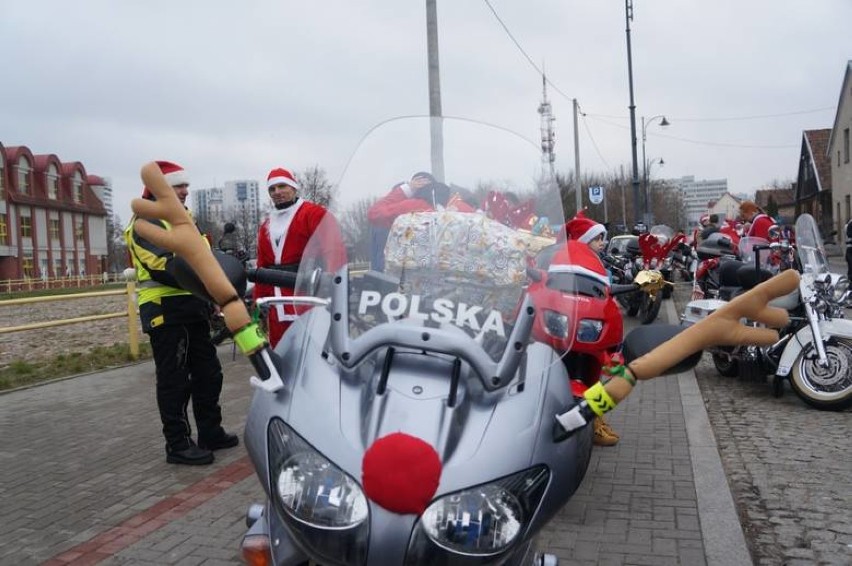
<point>826,388</point>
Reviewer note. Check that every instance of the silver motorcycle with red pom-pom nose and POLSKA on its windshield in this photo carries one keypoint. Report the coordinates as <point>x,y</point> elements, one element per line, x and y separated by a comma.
<point>413,421</point>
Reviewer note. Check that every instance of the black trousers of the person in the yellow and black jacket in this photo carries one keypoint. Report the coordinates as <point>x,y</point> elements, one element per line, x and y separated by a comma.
<point>188,369</point>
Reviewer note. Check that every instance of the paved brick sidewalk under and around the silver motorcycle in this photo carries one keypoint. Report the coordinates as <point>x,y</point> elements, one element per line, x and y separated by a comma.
<point>84,481</point>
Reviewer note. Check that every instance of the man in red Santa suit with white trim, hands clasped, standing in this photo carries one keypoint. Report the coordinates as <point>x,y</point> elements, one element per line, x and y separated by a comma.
<point>281,241</point>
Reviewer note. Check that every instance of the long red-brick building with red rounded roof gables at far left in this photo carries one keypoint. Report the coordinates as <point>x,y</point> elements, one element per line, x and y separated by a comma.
<point>52,224</point>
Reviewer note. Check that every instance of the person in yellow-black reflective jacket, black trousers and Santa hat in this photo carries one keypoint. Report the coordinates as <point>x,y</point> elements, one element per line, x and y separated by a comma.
<point>177,324</point>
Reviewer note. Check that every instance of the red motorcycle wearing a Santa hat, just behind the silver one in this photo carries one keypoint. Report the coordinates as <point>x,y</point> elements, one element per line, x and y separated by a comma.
<point>576,310</point>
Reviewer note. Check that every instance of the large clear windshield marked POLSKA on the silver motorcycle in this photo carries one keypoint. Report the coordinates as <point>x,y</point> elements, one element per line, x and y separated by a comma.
<point>433,225</point>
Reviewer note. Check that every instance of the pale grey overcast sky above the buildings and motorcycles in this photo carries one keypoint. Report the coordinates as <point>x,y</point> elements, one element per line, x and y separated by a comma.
<point>232,89</point>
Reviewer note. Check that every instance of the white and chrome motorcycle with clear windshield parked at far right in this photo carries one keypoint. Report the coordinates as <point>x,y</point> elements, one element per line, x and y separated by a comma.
<point>815,350</point>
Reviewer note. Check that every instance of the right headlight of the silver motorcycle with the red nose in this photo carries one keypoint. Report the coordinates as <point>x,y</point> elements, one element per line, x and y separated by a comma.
<point>480,521</point>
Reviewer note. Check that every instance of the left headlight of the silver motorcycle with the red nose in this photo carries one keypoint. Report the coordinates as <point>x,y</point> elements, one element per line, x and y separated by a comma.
<point>322,506</point>
